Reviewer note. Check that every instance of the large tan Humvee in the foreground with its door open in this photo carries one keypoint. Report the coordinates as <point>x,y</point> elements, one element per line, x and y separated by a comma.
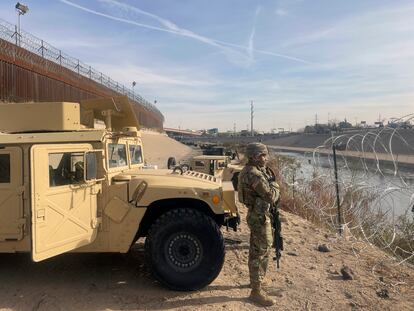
<point>71,180</point>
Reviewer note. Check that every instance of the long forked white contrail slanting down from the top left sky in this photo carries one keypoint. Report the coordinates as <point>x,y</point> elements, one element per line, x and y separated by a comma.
<point>174,29</point>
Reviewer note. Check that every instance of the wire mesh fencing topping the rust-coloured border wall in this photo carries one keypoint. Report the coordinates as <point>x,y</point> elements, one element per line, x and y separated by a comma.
<point>31,43</point>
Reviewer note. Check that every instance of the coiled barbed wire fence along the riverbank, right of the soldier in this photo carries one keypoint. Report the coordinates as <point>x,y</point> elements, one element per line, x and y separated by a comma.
<point>376,186</point>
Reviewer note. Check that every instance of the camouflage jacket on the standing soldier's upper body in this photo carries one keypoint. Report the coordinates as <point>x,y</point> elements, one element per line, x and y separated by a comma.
<point>254,182</point>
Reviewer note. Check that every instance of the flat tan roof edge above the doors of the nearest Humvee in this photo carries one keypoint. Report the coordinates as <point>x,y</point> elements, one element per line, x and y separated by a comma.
<point>53,137</point>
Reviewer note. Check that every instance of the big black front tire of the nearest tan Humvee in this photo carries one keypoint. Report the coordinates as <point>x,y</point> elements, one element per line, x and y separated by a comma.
<point>185,249</point>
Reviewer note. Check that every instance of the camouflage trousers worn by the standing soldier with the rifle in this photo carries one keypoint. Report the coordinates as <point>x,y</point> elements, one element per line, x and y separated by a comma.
<point>261,240</point>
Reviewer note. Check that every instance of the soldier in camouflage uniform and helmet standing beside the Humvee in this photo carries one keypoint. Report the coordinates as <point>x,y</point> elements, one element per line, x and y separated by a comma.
<point>258,193</point>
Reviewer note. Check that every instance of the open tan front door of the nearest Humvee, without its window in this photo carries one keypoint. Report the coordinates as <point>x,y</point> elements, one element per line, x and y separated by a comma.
<point>64,217</point>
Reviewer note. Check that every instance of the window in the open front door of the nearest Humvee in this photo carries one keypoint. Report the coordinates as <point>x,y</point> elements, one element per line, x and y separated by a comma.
<point>66,168</point>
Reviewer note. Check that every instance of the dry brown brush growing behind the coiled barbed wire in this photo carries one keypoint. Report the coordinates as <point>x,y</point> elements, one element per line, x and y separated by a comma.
<point>316,202</point>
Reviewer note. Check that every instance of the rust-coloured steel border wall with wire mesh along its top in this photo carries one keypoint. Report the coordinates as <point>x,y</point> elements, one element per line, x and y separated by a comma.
<point>32,70</point>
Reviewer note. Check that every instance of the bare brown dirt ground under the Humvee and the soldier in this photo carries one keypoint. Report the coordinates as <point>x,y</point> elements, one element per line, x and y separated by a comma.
<point>307,279</point>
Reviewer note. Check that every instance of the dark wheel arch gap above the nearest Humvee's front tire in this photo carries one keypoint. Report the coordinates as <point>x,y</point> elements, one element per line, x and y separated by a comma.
<point>157,208</point>
